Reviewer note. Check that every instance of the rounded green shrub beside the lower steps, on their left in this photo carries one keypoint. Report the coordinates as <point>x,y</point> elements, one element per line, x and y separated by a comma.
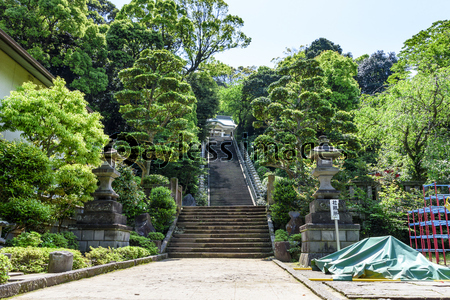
<point>162,208</point>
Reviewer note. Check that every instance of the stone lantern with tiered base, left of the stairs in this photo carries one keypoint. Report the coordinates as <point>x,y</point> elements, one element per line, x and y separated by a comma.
<point>102,222</point>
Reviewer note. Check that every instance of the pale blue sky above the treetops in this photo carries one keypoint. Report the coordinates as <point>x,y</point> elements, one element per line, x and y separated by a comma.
<point>358,26</point>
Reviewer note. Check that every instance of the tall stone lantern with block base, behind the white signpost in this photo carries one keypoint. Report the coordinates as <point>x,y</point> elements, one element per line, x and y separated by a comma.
<point>318,233</point>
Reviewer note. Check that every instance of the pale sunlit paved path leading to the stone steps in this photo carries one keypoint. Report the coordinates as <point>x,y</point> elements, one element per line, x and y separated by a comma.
<point>186,279</point>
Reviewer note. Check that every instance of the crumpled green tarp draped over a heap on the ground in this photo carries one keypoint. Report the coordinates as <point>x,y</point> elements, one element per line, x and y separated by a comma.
<point>380,257</point>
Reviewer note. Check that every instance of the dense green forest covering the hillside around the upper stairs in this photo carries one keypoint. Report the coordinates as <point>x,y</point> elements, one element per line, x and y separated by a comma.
<point>149,70</point>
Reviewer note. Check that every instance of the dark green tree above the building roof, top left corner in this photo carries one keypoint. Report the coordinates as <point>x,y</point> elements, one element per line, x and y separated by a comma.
<point>60,35</point>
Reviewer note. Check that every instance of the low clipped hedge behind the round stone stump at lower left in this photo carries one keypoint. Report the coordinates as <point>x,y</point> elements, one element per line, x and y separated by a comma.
<point>35,260</point>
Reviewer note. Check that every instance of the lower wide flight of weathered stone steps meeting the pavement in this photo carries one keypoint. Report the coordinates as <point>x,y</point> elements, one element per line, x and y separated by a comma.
<point>221,232</point>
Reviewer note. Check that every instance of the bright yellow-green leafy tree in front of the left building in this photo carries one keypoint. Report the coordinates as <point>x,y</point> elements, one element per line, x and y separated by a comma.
<point>57,122</point>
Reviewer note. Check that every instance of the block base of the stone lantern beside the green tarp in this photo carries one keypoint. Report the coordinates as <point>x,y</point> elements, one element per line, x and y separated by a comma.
<point>319,240</point>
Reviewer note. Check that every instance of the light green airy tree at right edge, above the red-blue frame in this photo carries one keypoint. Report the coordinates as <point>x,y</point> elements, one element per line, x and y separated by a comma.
<point>406,119</point>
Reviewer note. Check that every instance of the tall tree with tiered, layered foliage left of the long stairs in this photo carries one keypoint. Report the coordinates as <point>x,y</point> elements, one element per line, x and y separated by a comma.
<point>157,104</point>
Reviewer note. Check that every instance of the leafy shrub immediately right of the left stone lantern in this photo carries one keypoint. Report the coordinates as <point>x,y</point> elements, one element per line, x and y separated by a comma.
<point>130,193</point>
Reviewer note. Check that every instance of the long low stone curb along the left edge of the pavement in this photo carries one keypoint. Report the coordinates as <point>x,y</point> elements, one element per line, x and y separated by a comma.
<point>25,286</point>
